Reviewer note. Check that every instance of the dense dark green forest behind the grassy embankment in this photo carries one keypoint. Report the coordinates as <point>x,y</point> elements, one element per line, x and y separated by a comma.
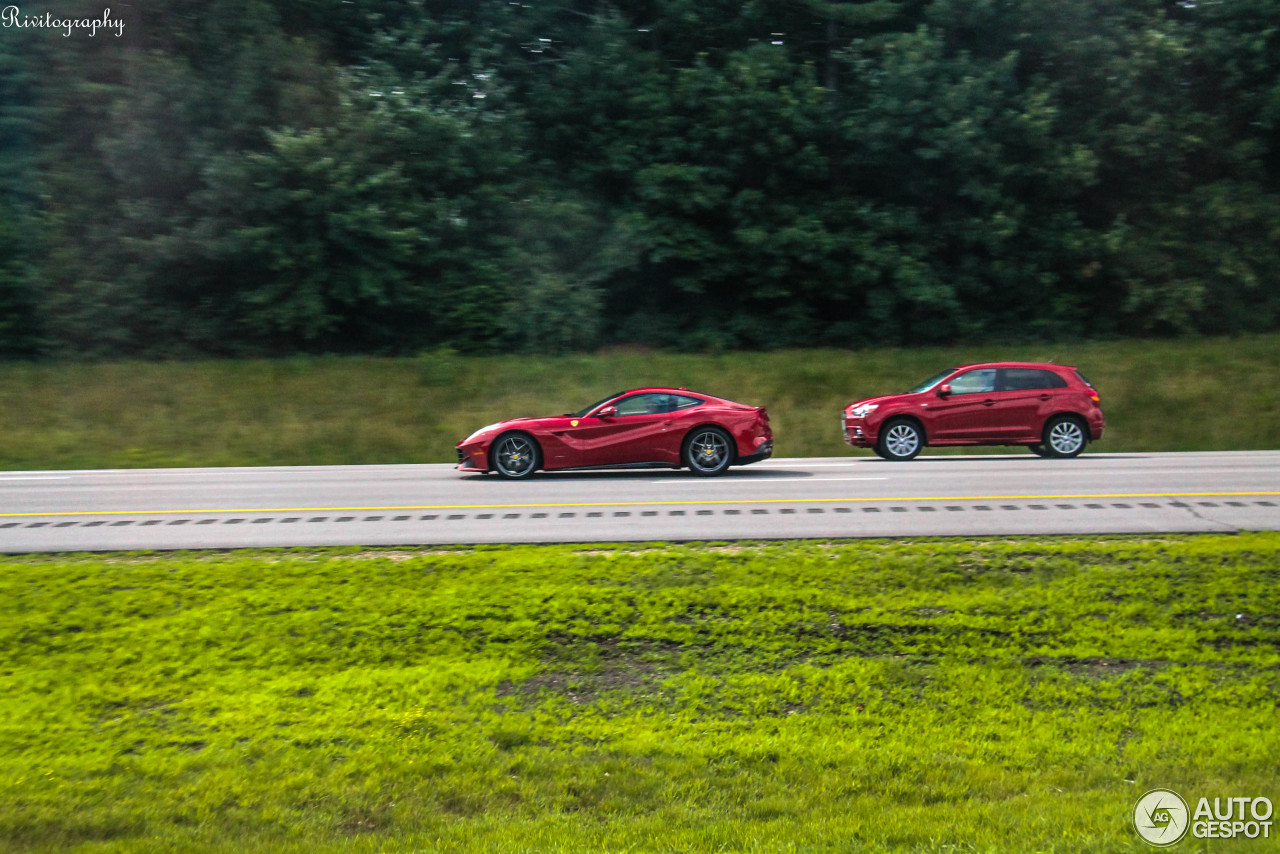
<point>390,177</point>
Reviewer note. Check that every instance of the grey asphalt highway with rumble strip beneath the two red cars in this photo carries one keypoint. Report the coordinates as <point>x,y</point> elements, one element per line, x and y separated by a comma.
<point>863,496</point>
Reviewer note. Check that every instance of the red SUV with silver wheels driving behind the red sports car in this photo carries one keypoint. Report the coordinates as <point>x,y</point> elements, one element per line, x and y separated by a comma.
<point>1050,409</point>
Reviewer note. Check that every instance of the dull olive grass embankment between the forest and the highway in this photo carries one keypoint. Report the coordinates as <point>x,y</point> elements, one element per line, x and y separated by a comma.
<point>1159,396</point>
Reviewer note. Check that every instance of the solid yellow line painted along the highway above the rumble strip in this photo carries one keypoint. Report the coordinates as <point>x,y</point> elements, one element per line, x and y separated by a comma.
<point>642,504</point>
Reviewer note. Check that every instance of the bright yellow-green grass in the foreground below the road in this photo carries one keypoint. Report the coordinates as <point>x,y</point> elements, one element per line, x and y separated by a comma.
<point>936,696</point>
